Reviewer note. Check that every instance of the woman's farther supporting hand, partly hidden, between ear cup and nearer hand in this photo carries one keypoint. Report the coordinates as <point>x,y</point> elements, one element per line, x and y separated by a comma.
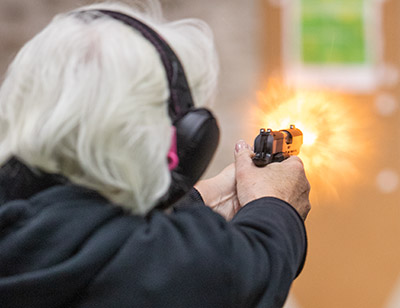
<point>219,192</point>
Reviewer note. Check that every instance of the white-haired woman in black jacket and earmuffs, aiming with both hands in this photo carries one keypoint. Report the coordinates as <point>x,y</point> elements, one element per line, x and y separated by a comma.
<point>96,142</point>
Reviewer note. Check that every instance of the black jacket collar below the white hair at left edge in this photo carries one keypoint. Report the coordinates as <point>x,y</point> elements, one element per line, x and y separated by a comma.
<point>18,181</point>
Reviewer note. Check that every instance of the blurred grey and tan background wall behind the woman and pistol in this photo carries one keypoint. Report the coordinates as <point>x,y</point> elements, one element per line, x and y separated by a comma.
<point>354,251</point>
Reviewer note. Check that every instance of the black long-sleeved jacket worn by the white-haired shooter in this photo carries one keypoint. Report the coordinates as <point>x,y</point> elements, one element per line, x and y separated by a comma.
<point>62,245</point>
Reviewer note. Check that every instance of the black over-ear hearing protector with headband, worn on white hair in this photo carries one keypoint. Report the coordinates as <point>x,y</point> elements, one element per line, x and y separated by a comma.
<point>197,132</point>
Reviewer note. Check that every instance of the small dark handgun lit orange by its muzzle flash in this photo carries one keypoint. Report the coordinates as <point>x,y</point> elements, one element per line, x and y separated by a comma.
<point>275,146</point>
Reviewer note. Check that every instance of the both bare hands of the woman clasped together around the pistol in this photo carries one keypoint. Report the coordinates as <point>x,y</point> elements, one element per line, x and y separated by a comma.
<point>242,182</point>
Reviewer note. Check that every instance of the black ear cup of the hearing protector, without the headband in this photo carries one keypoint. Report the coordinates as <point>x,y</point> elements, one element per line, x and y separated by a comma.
<point>197,141</point>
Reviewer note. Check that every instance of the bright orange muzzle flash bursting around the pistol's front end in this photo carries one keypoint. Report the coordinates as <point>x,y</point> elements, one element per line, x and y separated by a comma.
<point>334,139</point>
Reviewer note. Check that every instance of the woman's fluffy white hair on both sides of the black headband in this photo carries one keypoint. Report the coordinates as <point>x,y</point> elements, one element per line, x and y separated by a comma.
<point>87,98</point>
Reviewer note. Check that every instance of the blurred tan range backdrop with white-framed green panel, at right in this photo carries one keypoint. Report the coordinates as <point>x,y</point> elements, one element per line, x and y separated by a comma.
<point>350,47</point>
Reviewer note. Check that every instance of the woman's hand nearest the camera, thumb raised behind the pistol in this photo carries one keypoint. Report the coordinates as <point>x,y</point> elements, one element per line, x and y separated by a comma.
<point>286,180</point>
